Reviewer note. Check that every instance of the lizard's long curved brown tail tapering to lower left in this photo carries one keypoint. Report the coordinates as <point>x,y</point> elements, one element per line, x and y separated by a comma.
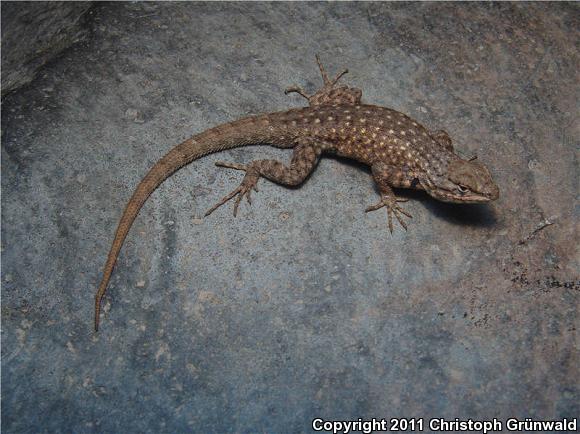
<point>239,133</point>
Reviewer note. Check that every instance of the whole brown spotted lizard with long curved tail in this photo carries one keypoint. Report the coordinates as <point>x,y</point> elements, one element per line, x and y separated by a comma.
<point>400,152</point>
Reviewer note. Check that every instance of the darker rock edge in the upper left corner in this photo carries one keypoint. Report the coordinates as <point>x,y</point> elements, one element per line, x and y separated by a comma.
<point>33,33</point>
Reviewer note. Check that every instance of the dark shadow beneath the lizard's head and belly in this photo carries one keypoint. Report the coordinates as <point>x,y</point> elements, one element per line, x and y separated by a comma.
<point>479,215</point>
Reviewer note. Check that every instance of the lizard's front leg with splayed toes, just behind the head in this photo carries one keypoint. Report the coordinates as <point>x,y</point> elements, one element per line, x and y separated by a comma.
<point>386,177</point>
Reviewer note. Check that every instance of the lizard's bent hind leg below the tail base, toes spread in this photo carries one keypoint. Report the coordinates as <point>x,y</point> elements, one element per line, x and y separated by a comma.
<point>304,160</point>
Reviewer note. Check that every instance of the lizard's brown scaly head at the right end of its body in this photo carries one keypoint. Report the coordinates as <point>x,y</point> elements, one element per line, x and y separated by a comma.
<point>462,181</point>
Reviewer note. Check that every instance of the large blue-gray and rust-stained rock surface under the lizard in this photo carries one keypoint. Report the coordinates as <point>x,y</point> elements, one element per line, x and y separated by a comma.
<point>303,306</point>
